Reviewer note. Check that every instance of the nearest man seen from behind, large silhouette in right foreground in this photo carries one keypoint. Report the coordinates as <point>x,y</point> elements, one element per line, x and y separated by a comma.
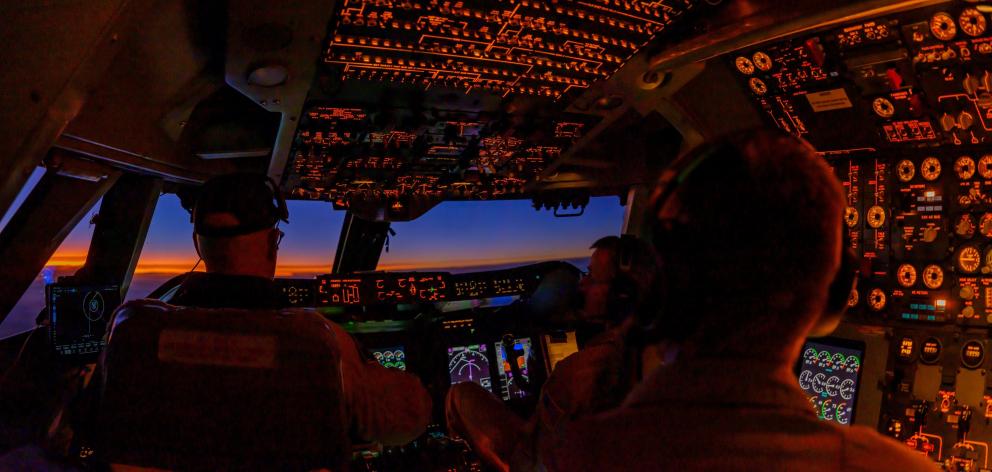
<point>748,233</point>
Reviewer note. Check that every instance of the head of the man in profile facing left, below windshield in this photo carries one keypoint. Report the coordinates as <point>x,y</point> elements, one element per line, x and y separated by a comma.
<point>621,270</point>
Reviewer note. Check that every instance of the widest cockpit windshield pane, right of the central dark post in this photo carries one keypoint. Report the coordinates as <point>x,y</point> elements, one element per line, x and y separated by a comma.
<point>465,236</point>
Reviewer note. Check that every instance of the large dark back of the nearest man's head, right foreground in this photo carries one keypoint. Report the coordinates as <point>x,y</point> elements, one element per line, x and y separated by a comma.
<point>758,242</point>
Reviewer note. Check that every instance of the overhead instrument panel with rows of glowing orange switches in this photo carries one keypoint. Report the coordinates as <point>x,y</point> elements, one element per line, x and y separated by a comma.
<point>422,101</point>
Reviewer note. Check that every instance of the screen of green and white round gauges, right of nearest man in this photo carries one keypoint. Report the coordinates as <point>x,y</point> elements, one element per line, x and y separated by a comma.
<point>829,373</point>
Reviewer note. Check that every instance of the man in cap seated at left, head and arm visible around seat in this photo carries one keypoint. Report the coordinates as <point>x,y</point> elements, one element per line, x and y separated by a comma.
<point>235,232</point>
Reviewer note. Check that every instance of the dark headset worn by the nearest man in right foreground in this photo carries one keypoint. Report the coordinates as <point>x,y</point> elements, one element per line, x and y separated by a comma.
<point>672,178</point>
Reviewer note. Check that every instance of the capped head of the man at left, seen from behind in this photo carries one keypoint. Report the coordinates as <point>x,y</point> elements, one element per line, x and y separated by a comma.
<point>235,223</point>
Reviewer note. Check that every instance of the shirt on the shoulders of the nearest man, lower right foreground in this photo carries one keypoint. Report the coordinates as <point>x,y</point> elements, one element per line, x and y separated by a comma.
<point>724,415</point>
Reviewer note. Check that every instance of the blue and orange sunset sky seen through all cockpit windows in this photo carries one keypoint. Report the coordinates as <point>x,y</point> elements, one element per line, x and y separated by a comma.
<point>454,234</point>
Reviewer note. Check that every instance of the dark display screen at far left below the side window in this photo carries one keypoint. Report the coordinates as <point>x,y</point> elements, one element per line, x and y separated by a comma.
<point>79,317</point>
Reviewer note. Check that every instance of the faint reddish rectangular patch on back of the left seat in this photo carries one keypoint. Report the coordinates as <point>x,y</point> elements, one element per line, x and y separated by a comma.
<point>207,348</point>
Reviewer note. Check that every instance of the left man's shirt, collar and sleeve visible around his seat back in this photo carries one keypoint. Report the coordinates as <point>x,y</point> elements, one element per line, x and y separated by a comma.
<point>385,405</point>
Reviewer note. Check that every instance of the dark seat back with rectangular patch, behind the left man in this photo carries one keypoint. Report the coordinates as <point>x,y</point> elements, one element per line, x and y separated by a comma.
<point>220,389</point>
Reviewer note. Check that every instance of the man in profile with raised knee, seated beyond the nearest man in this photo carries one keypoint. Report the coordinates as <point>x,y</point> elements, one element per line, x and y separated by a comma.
<point>592,380</point>
